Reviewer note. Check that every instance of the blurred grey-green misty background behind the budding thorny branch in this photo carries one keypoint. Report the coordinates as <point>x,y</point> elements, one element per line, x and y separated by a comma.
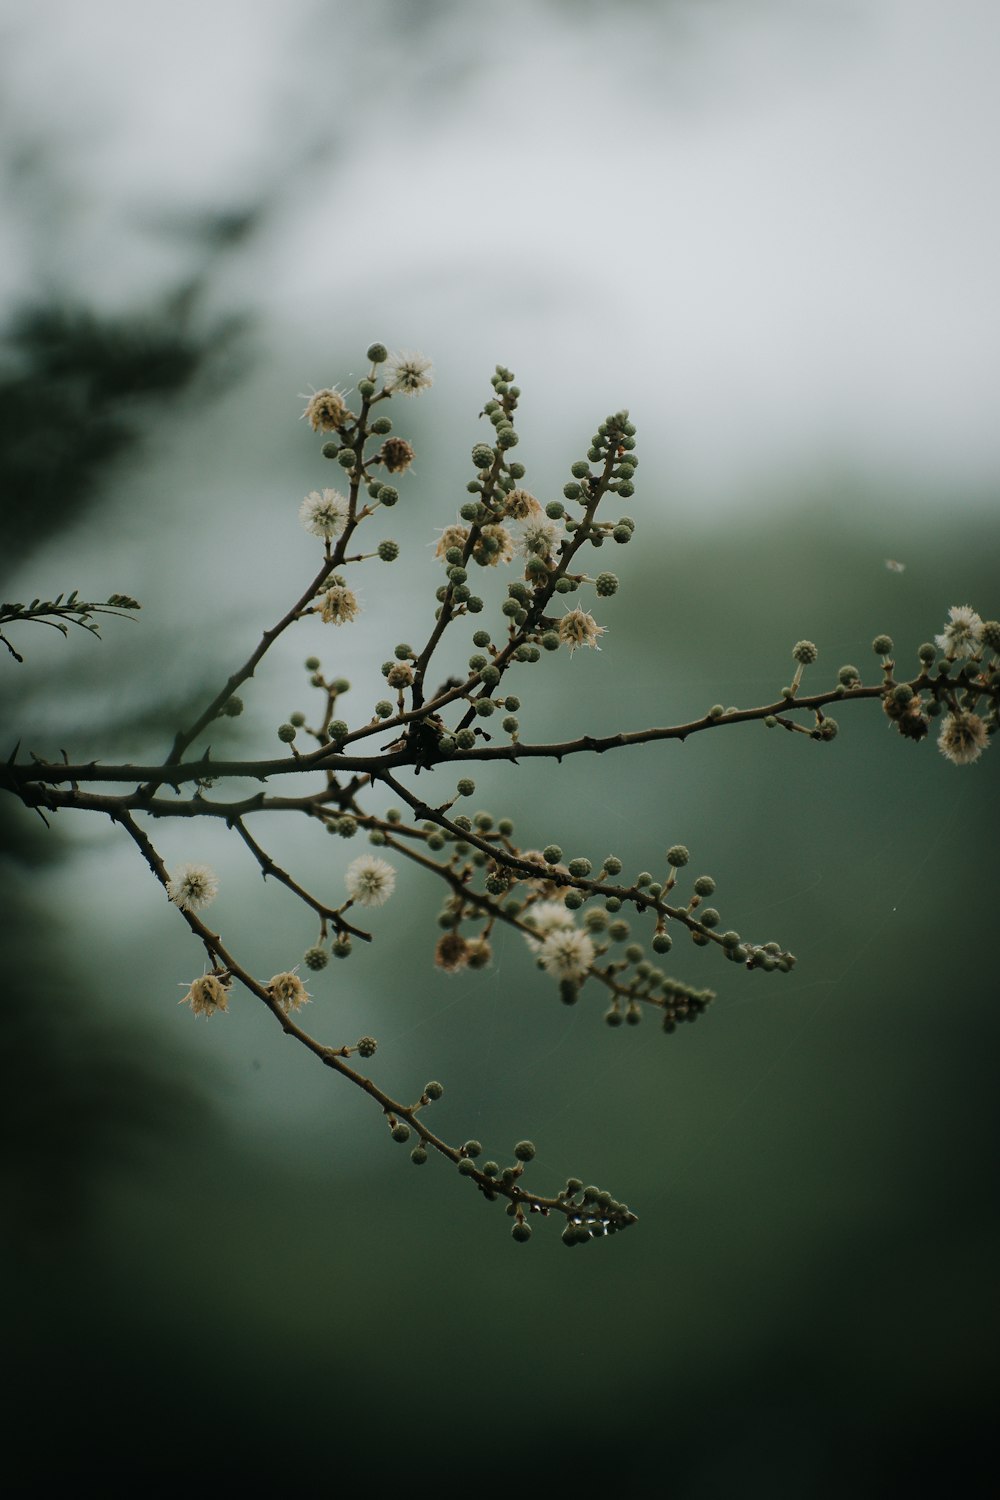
<point>768,229</point>
